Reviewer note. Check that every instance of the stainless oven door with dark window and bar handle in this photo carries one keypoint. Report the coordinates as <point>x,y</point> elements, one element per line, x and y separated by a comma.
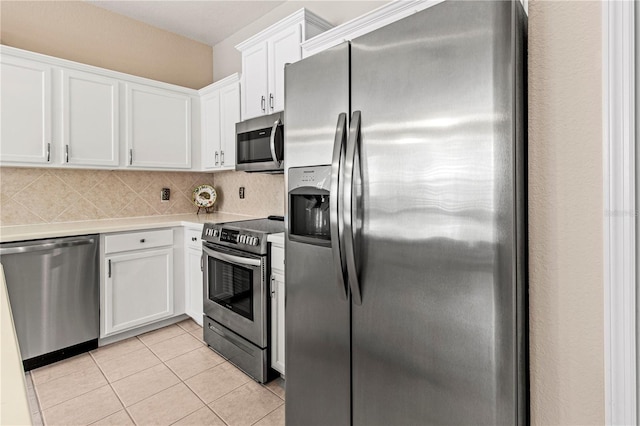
<point>235,291</point>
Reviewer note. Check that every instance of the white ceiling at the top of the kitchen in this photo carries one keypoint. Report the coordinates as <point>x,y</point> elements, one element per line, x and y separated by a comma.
<point>206,21</point>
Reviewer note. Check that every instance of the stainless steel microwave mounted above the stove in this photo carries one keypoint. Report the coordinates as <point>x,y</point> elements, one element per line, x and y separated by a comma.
<point>260,144</point>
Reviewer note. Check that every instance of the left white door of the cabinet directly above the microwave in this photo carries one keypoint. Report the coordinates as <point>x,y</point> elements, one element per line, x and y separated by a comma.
<point>254,81</point>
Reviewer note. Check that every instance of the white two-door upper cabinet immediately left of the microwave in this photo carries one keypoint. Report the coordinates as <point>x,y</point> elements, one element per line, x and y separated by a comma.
<point>220,111</point>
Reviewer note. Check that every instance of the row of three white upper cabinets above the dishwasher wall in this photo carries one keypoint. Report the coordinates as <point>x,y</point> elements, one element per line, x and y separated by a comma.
<point>59,113</point>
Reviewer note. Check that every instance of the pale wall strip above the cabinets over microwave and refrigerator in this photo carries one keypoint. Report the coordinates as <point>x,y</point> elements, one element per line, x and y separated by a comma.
<point>227,60</point>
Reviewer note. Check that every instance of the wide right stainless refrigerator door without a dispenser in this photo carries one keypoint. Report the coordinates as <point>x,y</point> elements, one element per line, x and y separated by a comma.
<point>435,339</point>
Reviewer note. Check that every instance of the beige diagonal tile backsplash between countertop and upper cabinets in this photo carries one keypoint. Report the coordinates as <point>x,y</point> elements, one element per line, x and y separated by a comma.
<point>38,195</point>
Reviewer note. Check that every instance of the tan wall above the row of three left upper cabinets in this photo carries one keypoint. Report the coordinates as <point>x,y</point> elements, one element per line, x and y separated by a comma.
<point>81,32</point>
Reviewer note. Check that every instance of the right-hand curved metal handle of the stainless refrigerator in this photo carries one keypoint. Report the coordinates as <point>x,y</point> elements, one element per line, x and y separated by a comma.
<point>351,207</point>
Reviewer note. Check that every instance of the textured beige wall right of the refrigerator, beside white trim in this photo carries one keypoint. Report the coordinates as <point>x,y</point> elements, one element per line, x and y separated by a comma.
<point>566,213</point>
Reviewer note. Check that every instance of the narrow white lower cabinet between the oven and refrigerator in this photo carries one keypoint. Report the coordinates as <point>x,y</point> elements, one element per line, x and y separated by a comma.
<point>277,304</point>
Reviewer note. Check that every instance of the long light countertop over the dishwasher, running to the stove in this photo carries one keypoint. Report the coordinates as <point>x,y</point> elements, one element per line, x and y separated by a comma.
<point>68,229</point>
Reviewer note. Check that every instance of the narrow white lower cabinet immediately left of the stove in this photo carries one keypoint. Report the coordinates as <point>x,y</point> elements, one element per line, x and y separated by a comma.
<point>193,274</point>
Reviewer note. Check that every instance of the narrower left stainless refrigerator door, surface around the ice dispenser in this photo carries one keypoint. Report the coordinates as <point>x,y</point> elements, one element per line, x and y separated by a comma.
<point>316,312</point>
